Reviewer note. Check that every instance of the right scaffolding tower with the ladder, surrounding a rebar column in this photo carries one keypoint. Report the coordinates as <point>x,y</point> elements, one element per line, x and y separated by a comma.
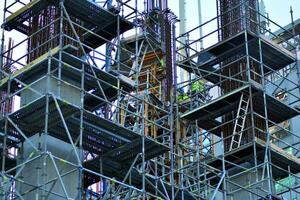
<point>228,148</point>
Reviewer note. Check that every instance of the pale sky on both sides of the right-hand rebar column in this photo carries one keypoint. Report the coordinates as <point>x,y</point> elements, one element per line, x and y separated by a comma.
<point>278,11</point>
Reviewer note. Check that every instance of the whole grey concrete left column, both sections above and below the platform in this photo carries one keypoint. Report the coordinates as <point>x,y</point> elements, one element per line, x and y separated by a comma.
<point>42,170</point>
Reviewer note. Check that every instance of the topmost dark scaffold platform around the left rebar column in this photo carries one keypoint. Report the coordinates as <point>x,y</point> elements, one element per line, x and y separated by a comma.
<point>103,22</point>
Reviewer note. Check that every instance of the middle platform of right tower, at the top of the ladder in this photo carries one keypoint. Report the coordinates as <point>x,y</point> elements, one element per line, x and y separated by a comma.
<point>277,111</point>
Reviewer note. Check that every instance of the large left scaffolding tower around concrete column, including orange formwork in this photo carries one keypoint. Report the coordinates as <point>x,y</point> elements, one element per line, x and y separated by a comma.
<point>87,117</point>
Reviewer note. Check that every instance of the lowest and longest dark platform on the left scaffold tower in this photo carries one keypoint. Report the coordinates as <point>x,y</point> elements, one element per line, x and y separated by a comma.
<point>100,136</point>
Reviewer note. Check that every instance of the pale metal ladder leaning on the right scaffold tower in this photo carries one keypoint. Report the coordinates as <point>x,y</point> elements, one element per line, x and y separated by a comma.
<point>240,120</point>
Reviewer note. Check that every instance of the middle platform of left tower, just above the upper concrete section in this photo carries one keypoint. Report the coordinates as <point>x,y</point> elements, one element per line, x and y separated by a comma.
<point>71,71</point>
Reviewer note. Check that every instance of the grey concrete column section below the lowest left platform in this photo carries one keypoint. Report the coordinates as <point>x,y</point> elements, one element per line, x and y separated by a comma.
<point>42,170</point>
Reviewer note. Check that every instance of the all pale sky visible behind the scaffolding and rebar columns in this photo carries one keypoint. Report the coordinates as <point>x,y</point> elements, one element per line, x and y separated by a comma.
<point>278,10</point>
